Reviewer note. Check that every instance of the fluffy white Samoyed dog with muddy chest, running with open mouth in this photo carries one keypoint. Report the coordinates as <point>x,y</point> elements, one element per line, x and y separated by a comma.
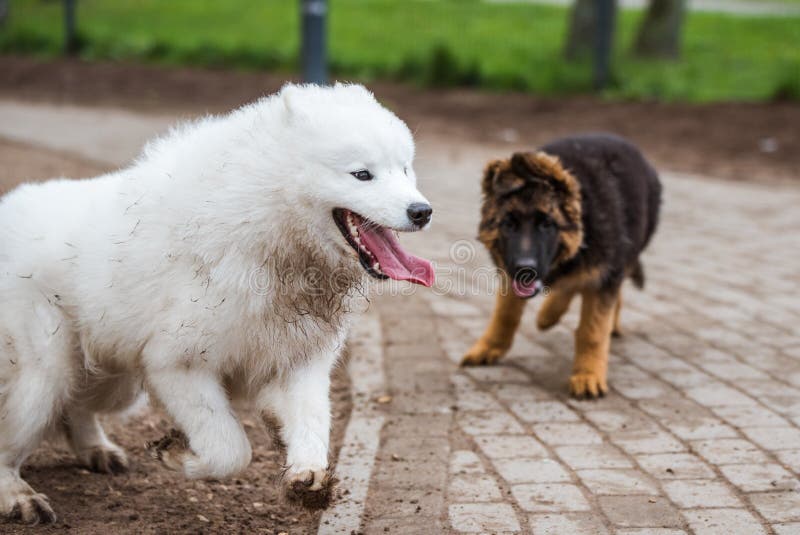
<point>224,264</point>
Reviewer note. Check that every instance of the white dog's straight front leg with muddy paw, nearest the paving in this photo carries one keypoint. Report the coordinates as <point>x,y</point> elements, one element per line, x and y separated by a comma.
<point>303,409</point>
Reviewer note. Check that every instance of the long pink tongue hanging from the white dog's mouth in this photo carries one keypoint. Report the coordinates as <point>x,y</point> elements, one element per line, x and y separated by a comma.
<point>394,261</point>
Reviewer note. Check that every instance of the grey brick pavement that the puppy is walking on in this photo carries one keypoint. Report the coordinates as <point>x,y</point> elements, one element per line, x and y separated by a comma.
<point>700,433</point>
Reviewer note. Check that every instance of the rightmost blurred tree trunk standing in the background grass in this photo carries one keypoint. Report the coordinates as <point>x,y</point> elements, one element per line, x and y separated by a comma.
<point>659,34</point>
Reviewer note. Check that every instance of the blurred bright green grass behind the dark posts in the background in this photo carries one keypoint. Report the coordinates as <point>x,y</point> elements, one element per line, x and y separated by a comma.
<point>432,43</point>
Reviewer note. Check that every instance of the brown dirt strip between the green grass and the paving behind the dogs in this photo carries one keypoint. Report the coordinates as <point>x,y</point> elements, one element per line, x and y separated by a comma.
<point>735,141</point>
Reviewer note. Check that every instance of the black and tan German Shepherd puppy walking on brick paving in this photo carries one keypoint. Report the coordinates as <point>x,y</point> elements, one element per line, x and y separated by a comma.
<point>572,217</point>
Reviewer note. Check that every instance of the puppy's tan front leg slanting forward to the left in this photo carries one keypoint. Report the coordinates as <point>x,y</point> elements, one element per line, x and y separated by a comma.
<point>497,339</point>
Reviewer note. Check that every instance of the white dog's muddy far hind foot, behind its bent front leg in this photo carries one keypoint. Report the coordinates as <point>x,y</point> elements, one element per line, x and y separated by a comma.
<point>90,443</point>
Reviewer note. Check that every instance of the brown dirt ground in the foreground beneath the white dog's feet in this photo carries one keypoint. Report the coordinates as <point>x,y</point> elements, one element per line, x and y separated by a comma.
<point>149,499</point>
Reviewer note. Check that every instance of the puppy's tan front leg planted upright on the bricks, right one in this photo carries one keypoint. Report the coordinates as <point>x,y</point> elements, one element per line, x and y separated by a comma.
<point>592,340</point>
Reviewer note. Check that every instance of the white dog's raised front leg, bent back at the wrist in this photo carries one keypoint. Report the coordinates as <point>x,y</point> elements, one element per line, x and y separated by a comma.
<point>217,444</point>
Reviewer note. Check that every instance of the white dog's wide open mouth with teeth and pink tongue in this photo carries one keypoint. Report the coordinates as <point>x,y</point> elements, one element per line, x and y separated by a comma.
<point>380,252</point>
